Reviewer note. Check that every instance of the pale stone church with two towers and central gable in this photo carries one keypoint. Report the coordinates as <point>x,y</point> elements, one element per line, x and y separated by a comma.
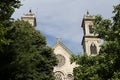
<point>90,43</point>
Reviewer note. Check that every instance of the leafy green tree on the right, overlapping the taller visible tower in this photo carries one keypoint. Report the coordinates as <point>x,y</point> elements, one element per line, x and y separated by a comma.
<point>104,66</point>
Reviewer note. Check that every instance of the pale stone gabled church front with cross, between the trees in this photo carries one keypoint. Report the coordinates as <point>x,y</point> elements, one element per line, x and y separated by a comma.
<point>64,69</point>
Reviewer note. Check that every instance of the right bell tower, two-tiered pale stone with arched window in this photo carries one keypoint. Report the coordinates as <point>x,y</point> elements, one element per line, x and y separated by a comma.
<point>90,41</point>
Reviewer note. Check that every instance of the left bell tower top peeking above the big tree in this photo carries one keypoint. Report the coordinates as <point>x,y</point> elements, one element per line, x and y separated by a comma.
<point>30,17</point>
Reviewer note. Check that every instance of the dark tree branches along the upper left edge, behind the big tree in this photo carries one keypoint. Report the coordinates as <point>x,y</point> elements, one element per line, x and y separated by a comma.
<point>7,7</point>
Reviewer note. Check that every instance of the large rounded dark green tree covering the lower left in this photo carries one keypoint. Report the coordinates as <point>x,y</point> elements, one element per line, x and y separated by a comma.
<point>27,57</point>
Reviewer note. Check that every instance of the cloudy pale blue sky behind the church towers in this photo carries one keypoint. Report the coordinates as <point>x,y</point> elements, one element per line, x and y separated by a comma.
<point>63,18</point>
